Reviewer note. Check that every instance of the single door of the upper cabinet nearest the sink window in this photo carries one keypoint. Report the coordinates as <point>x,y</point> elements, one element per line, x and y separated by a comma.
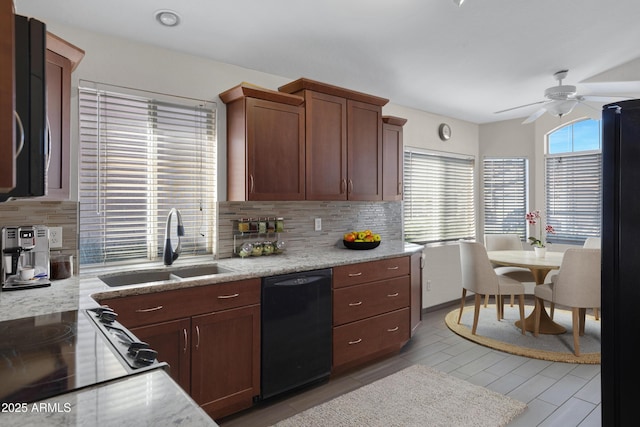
<point>275,150</point>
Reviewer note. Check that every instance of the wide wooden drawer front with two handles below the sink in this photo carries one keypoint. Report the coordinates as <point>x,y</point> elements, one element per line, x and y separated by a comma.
<point>157,307</point>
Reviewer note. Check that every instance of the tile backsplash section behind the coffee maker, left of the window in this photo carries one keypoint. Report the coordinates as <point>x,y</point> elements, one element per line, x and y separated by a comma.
<point>50,213</point>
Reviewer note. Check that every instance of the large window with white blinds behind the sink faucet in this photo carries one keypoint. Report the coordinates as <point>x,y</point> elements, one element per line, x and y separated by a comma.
<point>139,157</point>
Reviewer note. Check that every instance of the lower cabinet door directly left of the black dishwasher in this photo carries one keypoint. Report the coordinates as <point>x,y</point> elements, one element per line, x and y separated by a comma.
<point>225,373</point>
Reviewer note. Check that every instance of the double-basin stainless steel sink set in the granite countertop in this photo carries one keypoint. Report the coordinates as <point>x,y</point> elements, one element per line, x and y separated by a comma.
<point>174,274</point>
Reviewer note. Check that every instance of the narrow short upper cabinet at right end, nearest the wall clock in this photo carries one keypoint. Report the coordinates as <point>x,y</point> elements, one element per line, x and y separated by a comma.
<point>392,158</point>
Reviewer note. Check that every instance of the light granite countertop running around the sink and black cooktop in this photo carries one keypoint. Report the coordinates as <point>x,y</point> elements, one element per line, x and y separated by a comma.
<point>111,404</point>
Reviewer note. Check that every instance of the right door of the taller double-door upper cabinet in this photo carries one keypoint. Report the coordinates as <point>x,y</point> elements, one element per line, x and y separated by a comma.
<point>364,151</point>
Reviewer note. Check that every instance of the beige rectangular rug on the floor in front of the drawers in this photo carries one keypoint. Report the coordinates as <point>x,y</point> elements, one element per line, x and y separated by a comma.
<point>416,396</point>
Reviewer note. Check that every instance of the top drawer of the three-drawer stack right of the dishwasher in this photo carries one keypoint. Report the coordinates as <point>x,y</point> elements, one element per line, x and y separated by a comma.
<point>354,274</point>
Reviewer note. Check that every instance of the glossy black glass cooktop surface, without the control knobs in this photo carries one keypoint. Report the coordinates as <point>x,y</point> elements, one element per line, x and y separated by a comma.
<point>51,354</point>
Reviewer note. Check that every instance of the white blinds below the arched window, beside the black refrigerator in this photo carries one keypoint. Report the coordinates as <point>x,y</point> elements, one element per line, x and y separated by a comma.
<point>574,196</point>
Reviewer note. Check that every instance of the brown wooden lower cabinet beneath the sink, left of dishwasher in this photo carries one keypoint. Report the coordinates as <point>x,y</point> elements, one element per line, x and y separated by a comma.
<point>209,335</point>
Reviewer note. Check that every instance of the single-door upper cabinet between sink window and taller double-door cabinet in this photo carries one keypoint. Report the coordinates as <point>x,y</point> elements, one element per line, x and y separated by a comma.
<point>265,144</point>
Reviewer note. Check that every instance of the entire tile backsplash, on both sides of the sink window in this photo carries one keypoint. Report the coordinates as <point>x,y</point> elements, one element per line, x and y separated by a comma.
<point>337,218</point>
